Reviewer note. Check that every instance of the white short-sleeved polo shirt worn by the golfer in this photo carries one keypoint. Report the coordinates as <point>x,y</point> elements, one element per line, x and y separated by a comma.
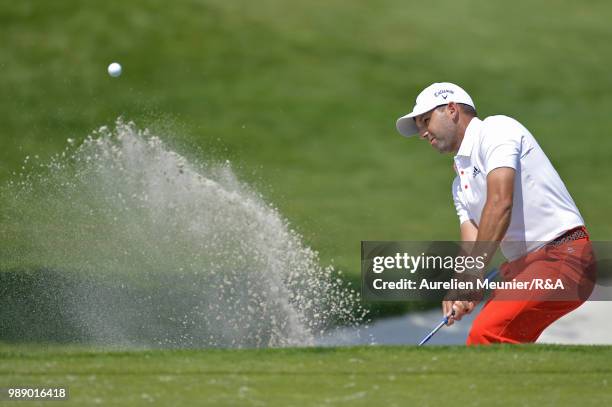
<point>542,207</point>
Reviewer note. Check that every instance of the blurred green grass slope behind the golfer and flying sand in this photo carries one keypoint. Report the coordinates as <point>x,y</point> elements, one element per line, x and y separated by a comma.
<point>303,97</point>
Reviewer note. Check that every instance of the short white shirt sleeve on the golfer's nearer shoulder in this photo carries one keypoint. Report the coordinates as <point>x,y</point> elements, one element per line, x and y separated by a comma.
<point>501,145</point>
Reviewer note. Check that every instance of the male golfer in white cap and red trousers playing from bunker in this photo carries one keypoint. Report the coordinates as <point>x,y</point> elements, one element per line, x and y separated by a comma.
<point>507,192</point>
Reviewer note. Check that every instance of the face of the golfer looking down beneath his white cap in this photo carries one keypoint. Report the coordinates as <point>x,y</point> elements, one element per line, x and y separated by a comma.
<point>438,127</point>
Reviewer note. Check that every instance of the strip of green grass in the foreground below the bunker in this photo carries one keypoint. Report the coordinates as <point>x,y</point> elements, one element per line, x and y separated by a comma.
<point>362,376</point>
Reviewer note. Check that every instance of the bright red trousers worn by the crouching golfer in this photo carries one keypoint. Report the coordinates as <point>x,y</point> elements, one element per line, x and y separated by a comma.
<point>523,320</point>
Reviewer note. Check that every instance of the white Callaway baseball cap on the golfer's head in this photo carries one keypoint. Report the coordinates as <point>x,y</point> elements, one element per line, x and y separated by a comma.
<point>434,95</point>
